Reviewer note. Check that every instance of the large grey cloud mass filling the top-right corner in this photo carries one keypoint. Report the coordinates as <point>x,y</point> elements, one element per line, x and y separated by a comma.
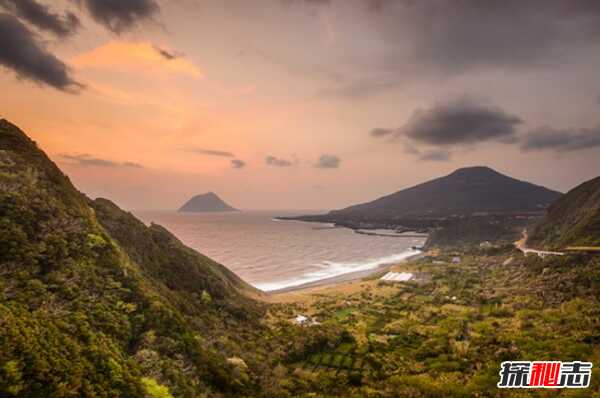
<point>457,36</point>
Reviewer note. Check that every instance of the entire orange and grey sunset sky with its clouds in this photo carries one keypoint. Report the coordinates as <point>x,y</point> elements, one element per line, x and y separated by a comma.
<point>301,104</point>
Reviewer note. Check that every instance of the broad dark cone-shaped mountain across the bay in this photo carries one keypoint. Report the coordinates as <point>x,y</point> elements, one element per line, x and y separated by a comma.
<point>466,191</point>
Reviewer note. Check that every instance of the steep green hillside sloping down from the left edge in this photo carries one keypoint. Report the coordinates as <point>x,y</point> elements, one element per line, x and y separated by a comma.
<point>95,303</point>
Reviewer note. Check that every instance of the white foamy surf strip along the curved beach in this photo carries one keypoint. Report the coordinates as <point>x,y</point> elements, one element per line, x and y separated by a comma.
<point>331,269</point>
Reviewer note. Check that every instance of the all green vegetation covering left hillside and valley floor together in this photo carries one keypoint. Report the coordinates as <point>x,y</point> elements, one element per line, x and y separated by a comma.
<point>94,303</point>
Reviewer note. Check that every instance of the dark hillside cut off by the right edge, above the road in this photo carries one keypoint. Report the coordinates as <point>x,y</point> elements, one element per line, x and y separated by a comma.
<point>573,220</point>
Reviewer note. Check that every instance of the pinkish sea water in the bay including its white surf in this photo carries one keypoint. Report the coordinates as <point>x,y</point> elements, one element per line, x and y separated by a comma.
<point>271,254</point>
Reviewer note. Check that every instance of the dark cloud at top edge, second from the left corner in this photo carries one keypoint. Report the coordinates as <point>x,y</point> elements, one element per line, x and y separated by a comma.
<point>120,15</point>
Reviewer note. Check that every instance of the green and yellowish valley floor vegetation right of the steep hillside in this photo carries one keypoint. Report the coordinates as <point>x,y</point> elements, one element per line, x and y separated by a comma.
<point>446,334</point>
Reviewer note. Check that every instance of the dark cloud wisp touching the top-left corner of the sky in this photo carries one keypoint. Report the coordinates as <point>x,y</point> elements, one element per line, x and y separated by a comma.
<point>42,17</point>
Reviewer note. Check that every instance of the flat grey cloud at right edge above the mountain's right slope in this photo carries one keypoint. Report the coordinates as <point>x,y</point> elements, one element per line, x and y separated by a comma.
<point>548,138</point>
